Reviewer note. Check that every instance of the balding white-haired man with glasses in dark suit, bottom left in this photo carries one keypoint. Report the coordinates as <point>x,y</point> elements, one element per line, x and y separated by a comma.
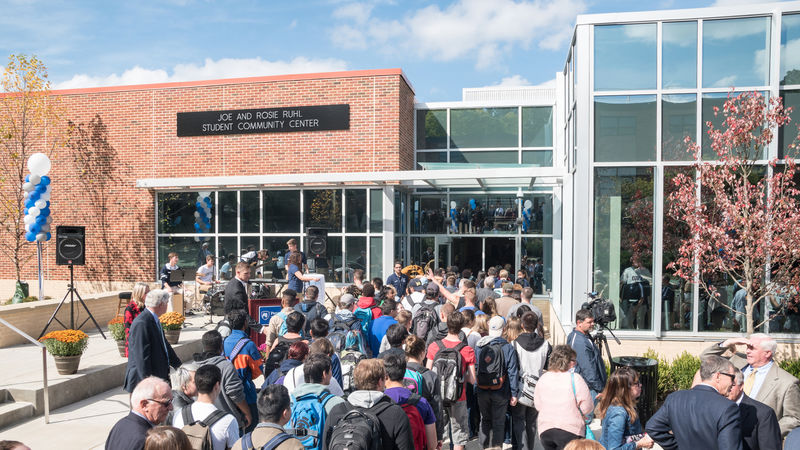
<point>151,401</point>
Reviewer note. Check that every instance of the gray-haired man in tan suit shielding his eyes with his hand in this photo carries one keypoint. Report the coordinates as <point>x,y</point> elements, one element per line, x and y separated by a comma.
<point>764,381</point>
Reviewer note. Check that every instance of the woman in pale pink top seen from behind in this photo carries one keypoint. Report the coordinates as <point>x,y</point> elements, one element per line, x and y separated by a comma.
<point>563,401</point>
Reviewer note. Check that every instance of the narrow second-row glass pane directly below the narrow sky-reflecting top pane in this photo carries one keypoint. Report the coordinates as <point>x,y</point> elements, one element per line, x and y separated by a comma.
<point>679,119</point>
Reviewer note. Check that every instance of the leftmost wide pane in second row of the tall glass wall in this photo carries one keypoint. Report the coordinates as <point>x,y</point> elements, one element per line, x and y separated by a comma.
<point>625,128</point>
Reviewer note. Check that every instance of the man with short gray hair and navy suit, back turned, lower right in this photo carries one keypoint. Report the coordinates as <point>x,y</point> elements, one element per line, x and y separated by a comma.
<point>700,417</point>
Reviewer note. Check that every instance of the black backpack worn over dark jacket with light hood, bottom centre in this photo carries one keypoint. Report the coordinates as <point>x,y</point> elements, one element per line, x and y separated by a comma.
<point>359,429</point>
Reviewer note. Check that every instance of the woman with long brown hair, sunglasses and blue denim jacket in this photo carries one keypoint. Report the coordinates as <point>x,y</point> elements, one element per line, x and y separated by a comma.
<point>616,406</point>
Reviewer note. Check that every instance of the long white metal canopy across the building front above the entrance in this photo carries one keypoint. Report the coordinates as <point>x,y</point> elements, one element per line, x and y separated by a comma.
<point>481,179</point>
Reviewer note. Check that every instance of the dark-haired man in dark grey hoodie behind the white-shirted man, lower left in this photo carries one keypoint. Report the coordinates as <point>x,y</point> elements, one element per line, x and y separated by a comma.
<point>231,398</point>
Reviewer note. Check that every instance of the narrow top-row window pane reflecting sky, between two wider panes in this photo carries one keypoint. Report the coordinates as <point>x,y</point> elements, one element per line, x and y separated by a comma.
<point>679,55</point>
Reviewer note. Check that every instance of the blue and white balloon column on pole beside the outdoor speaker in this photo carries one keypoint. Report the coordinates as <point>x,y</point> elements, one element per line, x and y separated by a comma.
<point>37,199</point>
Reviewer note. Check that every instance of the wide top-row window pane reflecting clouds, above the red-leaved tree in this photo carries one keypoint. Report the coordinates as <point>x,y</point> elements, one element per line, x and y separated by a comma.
<point>736,52</point>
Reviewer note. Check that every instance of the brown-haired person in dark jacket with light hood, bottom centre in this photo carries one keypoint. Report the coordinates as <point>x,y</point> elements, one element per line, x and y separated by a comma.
<point>370,380</point>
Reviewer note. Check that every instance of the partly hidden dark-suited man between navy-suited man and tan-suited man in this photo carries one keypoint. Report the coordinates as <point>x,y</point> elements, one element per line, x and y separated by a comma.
<point>760,429</point>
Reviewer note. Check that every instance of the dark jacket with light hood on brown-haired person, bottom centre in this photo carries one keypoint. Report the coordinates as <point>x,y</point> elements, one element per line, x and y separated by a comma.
<point>395,428</point>
